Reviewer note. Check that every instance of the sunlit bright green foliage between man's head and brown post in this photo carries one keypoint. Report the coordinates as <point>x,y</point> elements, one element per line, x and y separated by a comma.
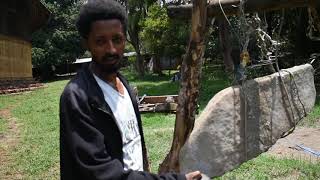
<point>163,36</point>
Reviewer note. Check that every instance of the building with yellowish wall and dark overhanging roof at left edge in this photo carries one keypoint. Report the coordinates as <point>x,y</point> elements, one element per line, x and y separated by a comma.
<point>18,20</point>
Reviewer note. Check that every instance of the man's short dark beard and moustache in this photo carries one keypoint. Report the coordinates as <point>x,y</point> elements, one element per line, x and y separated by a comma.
<point>108,68</point>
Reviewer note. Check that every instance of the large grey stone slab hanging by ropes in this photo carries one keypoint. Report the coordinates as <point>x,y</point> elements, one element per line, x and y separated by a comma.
<point>239,123</point>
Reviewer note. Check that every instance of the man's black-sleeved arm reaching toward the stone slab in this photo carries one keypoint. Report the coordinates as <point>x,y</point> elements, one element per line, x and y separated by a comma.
<point>86,145</point>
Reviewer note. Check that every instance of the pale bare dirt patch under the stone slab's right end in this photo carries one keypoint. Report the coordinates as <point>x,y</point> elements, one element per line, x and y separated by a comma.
<point>286,147</point>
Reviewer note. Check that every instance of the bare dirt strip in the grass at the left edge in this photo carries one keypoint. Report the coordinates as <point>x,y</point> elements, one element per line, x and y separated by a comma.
<point>8,142</point>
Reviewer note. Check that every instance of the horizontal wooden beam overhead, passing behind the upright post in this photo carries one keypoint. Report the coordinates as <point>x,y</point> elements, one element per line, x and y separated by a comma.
<point>231,7</point>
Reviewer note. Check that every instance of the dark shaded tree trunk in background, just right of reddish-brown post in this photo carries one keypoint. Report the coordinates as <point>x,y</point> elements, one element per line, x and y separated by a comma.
<point>225,45</point>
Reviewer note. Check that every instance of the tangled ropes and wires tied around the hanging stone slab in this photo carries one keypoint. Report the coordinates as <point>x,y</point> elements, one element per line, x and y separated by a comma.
<point>265,44</point>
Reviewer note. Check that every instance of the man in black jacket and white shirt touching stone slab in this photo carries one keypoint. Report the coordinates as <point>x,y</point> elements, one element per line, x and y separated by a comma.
<point>101,134</point>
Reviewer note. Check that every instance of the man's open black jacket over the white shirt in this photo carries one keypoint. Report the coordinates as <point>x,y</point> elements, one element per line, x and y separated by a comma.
<point>90,141</point>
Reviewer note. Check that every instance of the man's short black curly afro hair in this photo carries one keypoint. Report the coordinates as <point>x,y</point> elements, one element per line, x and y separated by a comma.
<point>100,10</point>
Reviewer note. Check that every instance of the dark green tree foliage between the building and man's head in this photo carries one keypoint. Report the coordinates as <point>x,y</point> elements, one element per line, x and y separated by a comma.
<point>59,42</point>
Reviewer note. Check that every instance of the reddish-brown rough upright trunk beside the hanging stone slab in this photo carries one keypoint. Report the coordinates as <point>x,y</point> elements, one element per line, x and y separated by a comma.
<point>189,92</point>
